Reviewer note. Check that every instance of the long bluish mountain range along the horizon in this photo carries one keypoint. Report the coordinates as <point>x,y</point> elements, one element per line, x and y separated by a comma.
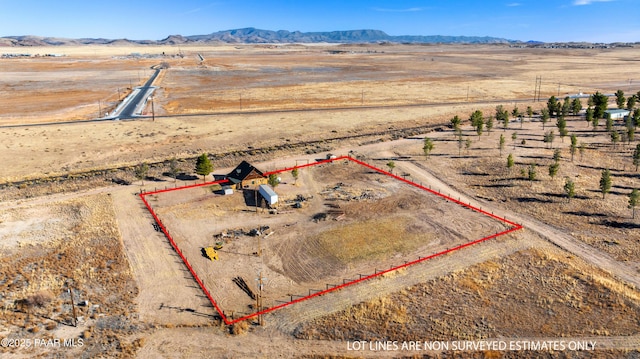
<point>256,36</point>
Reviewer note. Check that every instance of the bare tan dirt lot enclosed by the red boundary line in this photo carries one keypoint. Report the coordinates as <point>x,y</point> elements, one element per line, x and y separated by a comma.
<point>349,224</point>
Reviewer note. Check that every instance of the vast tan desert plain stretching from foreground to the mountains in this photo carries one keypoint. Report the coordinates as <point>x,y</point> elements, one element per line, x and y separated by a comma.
<point>397,233</point>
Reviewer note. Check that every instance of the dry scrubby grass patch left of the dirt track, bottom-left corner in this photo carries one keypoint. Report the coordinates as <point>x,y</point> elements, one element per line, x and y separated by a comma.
<point>51,247</point>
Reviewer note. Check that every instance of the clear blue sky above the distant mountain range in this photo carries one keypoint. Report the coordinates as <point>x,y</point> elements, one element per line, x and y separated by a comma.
<point>543,20</point>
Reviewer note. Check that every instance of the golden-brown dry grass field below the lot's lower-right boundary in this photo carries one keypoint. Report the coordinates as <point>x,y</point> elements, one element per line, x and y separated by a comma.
<point>528,294</point>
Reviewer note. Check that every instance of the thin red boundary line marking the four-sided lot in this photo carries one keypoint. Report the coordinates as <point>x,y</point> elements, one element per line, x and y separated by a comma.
<point>344,285</point>
